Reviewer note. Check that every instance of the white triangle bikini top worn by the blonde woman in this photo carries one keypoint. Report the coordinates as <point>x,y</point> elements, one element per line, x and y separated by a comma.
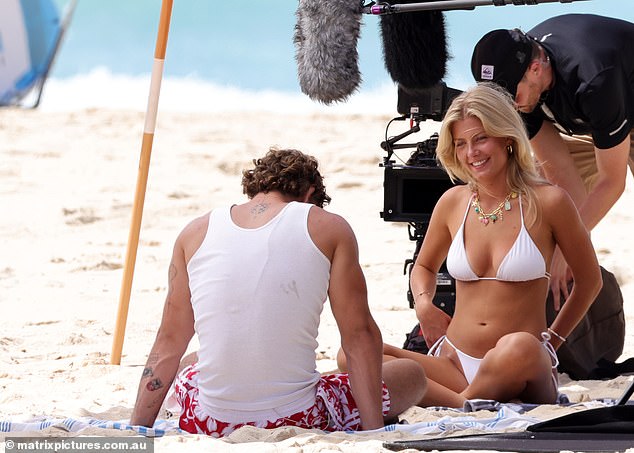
<point>523,262</point>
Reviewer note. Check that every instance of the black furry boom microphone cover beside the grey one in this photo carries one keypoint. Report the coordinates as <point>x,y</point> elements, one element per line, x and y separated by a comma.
<point>414,47</point>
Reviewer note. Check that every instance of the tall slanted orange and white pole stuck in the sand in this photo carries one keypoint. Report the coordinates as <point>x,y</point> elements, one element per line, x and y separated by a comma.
<point>144,165</point>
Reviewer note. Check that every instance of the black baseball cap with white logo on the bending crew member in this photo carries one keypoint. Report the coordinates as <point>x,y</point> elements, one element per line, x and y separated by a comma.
<point>502,56</point>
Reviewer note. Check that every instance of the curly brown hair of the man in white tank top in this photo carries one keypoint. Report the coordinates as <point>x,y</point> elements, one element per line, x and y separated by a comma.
<point>288,171</point>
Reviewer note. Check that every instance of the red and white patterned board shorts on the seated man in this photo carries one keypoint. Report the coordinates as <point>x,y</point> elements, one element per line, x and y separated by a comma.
<point>334,408</point>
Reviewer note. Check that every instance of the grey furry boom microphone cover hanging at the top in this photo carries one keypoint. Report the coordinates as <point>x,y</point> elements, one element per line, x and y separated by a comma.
<point>325,38</point>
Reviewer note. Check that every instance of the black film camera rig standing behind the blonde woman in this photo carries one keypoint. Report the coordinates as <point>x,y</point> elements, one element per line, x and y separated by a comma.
<point>411,189</point>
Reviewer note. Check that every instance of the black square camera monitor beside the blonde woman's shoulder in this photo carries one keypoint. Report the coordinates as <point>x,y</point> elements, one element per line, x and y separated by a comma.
<point>410,193</point>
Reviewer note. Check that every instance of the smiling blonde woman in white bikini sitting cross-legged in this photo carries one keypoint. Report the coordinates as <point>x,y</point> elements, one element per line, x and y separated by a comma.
<point>498,233</point>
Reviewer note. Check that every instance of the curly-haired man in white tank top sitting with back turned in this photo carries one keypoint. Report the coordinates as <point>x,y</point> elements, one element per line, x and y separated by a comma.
<point>251,281</point>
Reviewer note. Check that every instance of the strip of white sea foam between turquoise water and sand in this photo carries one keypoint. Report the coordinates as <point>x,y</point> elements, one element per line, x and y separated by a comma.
<point>101,88</point>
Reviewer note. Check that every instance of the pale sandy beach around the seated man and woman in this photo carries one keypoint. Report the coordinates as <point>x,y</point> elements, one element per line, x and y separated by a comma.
<point>67,183</point>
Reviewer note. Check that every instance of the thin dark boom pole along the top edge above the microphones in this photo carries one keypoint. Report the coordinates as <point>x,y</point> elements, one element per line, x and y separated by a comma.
<point>383,8</point>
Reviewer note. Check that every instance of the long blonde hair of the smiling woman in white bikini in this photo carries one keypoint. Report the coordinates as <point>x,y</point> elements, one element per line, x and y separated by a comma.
<point>494,107</point>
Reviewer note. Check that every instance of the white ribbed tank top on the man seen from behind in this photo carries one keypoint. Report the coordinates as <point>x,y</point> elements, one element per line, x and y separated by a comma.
<point>257,296</point>
